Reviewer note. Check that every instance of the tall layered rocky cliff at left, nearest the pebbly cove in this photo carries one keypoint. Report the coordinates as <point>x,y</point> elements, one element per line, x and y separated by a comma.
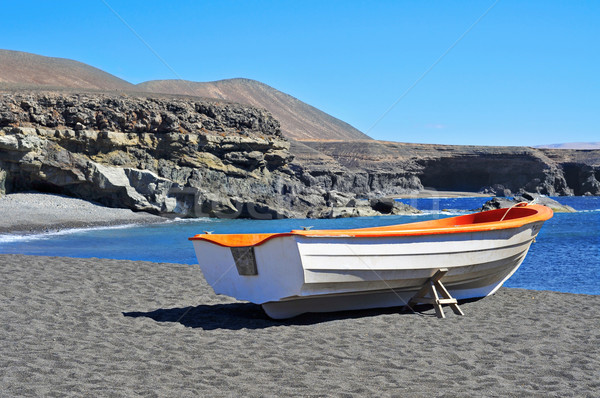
<point>161,155</point>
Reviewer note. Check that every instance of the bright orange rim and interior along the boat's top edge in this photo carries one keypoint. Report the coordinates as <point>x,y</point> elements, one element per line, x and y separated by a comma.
<point>513,217</point>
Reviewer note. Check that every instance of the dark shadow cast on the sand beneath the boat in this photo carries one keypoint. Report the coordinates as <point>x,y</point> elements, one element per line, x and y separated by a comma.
<point>236,316</point>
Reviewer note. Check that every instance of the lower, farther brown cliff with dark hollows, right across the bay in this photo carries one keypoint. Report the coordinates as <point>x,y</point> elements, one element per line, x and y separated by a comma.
<point>377,167</point>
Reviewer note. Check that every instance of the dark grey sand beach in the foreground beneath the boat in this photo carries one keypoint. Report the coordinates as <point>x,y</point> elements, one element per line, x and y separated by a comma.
<point>91,327</point>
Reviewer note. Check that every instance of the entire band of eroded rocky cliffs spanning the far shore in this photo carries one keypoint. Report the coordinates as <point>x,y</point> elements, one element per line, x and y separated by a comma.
<point>192,157</point>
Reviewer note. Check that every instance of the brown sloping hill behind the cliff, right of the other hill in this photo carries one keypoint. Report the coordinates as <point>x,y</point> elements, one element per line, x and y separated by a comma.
<point>298,119</point>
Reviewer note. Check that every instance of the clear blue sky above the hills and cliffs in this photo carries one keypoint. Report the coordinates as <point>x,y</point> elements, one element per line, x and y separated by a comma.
<point>526,74</point>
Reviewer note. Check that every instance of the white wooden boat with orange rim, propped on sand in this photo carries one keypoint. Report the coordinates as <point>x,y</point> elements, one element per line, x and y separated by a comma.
<point>332,270</point>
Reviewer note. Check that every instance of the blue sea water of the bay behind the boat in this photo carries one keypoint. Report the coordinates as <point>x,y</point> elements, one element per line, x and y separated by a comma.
<point>564,258</point>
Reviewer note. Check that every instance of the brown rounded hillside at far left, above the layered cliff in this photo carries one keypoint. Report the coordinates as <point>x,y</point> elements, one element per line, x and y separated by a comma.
<point>20,69</point>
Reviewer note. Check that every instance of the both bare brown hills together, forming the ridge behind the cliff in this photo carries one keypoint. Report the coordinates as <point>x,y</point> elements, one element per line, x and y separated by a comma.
<point>298,119</point>
